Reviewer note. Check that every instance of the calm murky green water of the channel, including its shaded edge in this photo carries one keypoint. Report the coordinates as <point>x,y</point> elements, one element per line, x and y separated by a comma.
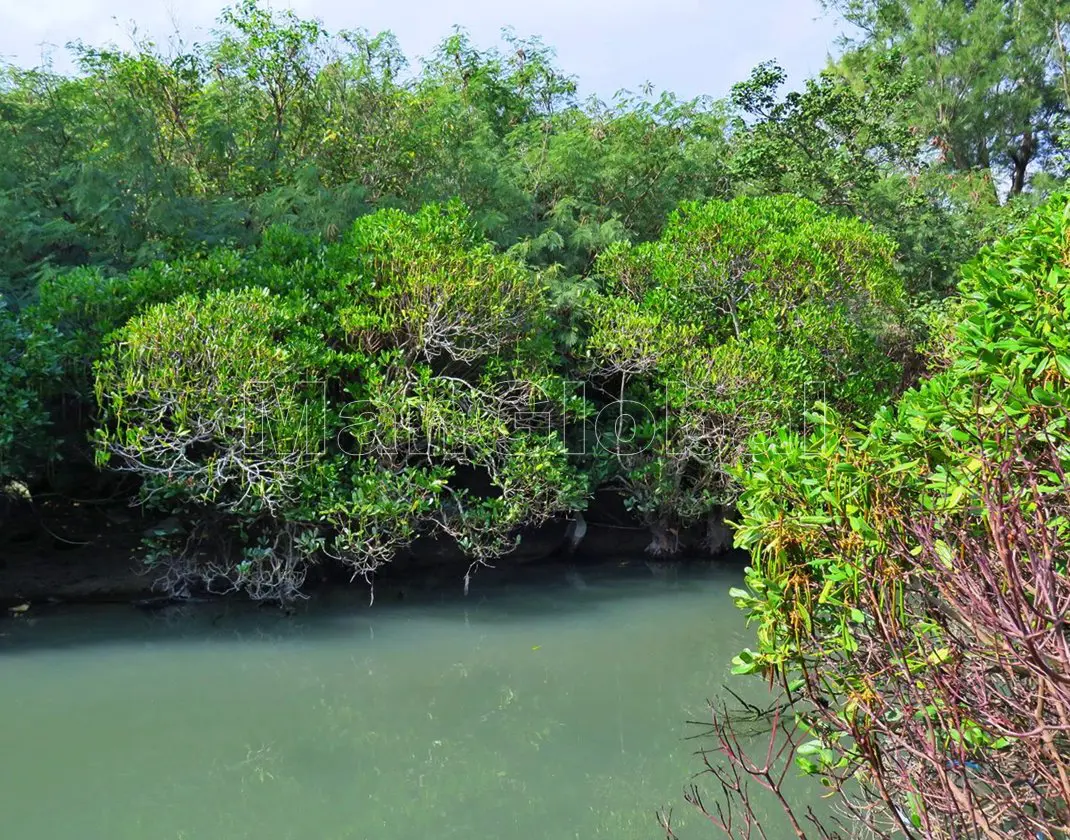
<point>551,710</point>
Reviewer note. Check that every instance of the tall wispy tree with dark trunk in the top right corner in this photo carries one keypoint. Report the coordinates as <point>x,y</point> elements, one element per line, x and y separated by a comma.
<point>995,91</point>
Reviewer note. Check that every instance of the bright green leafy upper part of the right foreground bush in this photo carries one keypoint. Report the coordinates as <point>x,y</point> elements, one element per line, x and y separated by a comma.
<point>817,508</point>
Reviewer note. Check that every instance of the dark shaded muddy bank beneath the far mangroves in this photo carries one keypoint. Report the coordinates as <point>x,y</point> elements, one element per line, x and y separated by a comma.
<point>78,554</point>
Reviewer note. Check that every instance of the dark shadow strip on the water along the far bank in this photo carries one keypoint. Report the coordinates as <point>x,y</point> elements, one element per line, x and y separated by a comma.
<point>496,598</point>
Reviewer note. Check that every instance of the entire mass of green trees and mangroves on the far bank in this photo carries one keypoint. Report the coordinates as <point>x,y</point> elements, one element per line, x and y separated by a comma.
<point>302,180</point>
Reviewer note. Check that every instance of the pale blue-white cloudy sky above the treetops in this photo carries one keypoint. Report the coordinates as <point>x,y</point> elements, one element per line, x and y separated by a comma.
<point>691,48</point>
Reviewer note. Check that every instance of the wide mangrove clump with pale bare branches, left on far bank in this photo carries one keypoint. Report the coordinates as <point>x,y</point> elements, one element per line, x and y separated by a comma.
<point>342,400</point>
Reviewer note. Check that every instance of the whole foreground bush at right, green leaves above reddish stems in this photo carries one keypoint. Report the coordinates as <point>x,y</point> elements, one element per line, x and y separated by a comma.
<point>908,576</point>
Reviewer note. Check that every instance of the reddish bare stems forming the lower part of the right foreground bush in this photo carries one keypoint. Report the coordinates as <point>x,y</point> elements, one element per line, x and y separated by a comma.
<point>952,719</point>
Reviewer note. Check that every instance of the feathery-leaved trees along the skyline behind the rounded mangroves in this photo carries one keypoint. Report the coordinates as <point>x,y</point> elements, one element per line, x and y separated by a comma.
<point>147,156</point>
